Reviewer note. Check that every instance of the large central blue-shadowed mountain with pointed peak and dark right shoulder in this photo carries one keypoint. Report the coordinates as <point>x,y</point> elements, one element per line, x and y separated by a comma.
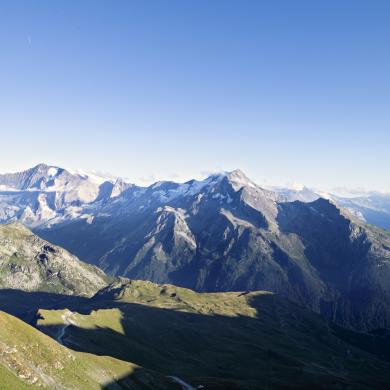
<point>230,235</point>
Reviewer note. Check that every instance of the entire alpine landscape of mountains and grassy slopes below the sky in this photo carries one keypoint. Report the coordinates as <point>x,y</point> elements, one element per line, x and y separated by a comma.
<point>215,284</point>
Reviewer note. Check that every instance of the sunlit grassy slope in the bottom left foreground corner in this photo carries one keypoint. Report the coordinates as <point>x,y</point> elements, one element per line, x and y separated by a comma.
<point>29,359</point>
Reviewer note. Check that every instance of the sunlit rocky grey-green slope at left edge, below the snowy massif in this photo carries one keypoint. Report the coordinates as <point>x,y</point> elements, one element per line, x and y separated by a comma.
<point>31,264</point>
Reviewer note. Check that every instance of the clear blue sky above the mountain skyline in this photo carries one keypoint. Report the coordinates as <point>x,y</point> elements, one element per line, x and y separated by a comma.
<point>288,91</point>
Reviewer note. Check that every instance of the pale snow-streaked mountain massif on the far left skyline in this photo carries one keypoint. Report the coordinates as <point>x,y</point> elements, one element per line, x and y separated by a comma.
<point>46,195</point>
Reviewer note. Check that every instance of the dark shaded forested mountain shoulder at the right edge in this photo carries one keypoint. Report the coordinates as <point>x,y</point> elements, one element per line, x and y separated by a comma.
<point>350,259</point>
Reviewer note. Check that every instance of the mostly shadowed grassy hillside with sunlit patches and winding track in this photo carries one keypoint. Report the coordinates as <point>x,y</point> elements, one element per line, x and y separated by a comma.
<point>249,340</point>
